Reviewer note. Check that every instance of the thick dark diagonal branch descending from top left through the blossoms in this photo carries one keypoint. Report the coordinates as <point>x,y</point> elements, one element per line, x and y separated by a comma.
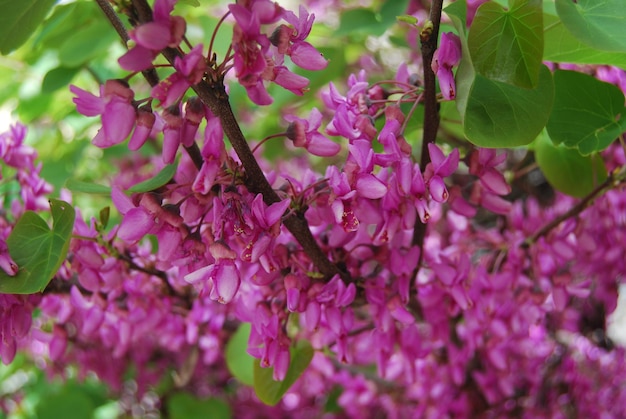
<point>213,94</point>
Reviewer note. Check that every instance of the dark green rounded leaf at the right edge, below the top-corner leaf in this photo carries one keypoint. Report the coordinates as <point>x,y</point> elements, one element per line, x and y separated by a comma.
<point>588,113</point>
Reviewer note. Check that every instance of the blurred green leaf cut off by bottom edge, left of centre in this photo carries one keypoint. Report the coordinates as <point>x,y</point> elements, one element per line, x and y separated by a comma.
<point>186,406</point>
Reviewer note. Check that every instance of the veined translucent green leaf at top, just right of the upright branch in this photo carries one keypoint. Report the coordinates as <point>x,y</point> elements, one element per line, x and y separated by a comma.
<point>507,45</point>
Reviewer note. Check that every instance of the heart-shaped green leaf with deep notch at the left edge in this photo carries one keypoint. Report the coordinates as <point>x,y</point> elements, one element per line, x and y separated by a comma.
<point>38,250</point>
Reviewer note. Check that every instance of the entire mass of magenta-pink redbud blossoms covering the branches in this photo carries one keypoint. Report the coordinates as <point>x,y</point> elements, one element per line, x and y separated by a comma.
<point>442,301</point>
